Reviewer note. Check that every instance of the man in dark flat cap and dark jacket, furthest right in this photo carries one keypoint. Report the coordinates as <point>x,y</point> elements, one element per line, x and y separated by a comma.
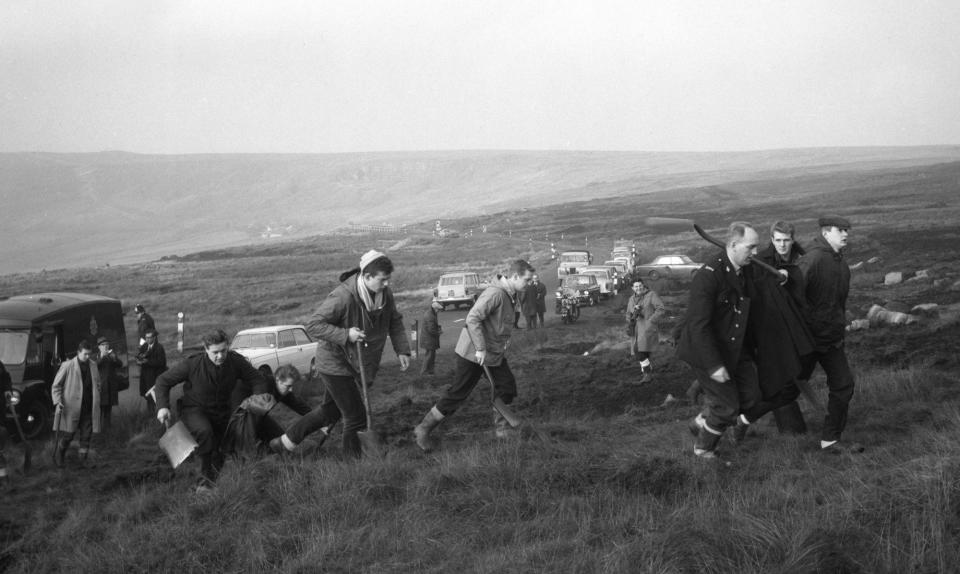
<point>826,285</point>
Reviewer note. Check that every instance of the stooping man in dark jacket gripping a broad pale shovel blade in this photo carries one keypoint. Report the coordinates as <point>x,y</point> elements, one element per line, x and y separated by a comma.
<point>209,391</point>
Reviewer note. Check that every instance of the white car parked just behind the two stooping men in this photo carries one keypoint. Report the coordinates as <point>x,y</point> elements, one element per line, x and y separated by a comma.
<point>269,347</point>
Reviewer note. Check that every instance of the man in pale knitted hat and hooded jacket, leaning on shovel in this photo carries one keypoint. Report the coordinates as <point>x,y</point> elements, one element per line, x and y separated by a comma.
<point>351,327</point>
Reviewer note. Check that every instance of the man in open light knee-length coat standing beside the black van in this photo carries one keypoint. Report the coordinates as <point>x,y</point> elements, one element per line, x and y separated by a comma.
<point>76,397</point>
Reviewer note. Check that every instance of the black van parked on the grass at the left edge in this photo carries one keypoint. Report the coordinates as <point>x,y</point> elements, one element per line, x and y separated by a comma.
<point>38,332</point>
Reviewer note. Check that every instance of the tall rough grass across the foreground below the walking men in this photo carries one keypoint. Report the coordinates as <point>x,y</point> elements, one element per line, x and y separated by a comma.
<point>625,496</point>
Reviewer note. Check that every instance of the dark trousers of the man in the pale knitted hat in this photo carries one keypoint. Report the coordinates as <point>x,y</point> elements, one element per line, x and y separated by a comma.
<point>341,398</point>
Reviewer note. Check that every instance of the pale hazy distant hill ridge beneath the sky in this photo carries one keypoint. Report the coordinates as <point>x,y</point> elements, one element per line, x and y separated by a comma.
<point>93,208</point>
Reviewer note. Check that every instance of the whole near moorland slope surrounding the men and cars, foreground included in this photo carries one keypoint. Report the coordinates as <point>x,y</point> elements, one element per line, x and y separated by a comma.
<point>615,488</point>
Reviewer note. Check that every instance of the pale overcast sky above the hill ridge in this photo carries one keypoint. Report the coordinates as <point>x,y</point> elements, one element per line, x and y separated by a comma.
<point>156,76</point>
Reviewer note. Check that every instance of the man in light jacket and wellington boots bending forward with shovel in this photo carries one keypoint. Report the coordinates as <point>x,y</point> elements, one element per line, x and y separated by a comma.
<point>482,344</point>
